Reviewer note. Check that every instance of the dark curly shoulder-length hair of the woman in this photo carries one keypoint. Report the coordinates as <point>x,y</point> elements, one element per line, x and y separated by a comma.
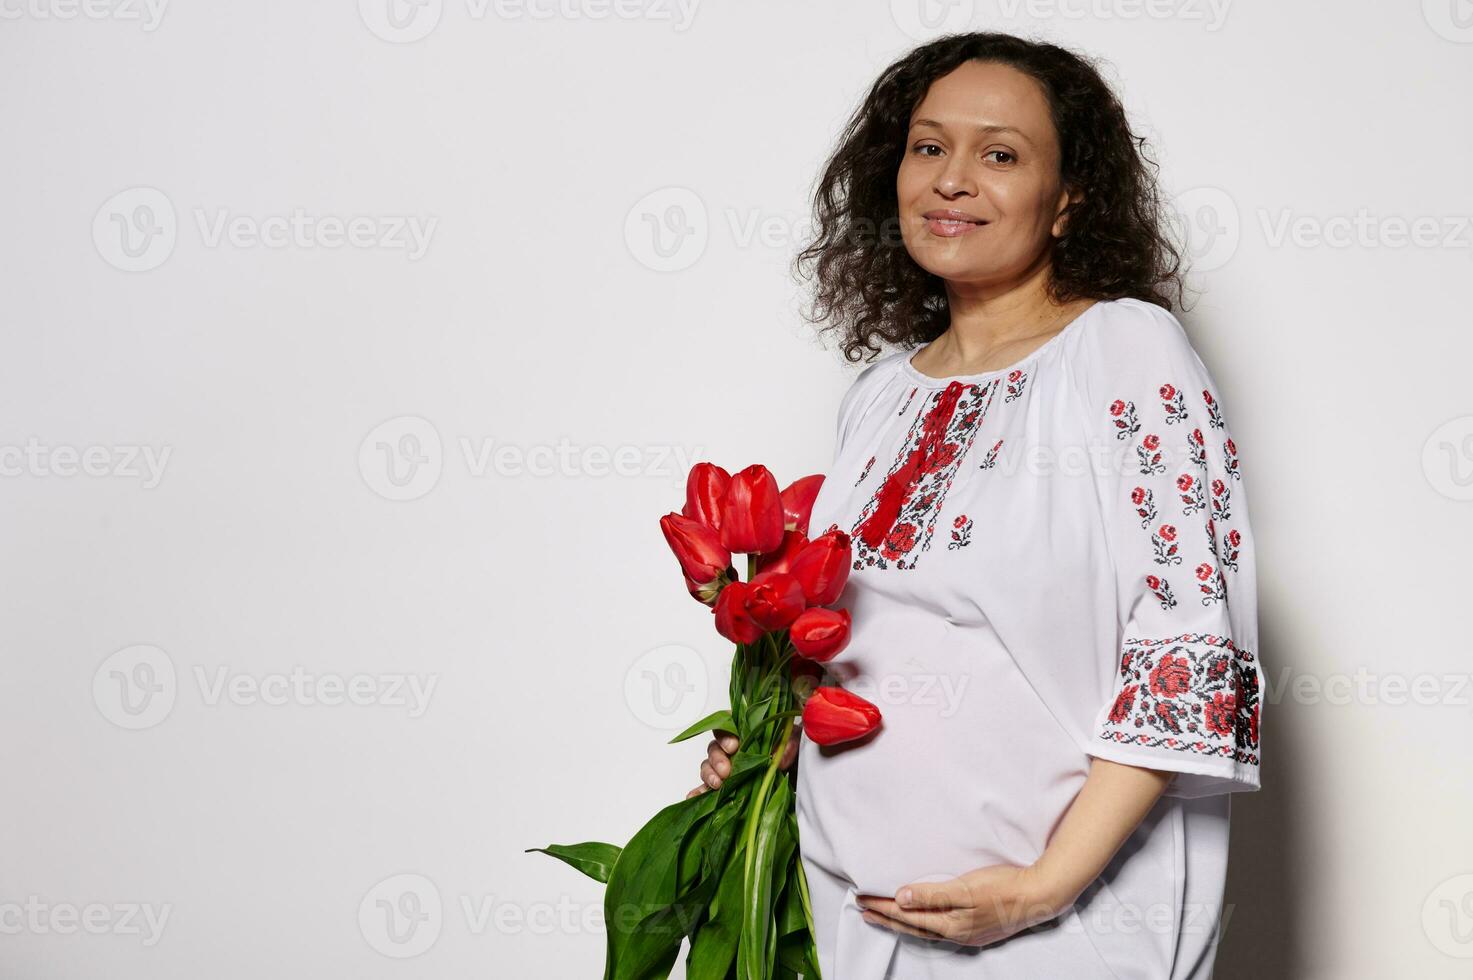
<point>1116,244</point>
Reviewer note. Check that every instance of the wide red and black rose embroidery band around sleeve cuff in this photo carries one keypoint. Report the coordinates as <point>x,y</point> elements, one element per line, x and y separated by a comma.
<point>1192,692</point>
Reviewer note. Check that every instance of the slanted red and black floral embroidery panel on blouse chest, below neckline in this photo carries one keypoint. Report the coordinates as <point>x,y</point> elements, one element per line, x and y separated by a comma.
<point>898,522</point>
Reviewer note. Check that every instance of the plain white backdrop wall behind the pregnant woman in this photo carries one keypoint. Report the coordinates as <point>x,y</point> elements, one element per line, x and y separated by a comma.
<point>354,351</point>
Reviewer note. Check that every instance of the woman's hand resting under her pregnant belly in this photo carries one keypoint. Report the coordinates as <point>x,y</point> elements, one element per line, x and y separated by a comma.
<point>974,910</point>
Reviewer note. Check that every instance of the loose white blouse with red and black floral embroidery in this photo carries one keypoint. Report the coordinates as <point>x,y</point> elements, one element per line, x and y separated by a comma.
<point>1052,562</point>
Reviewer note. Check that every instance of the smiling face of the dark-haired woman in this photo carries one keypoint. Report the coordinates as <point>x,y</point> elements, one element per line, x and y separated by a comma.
<point>982,142</point>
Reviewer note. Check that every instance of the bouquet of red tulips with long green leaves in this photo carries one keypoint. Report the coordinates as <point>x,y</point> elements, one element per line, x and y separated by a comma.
<point>723,869</point>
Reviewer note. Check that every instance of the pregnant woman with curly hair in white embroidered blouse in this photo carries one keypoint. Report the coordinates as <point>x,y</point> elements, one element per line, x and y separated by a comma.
<point>1054,586</point>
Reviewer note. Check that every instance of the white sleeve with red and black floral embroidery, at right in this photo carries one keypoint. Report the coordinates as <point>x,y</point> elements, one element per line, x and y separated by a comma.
<point>1187,677</point>
